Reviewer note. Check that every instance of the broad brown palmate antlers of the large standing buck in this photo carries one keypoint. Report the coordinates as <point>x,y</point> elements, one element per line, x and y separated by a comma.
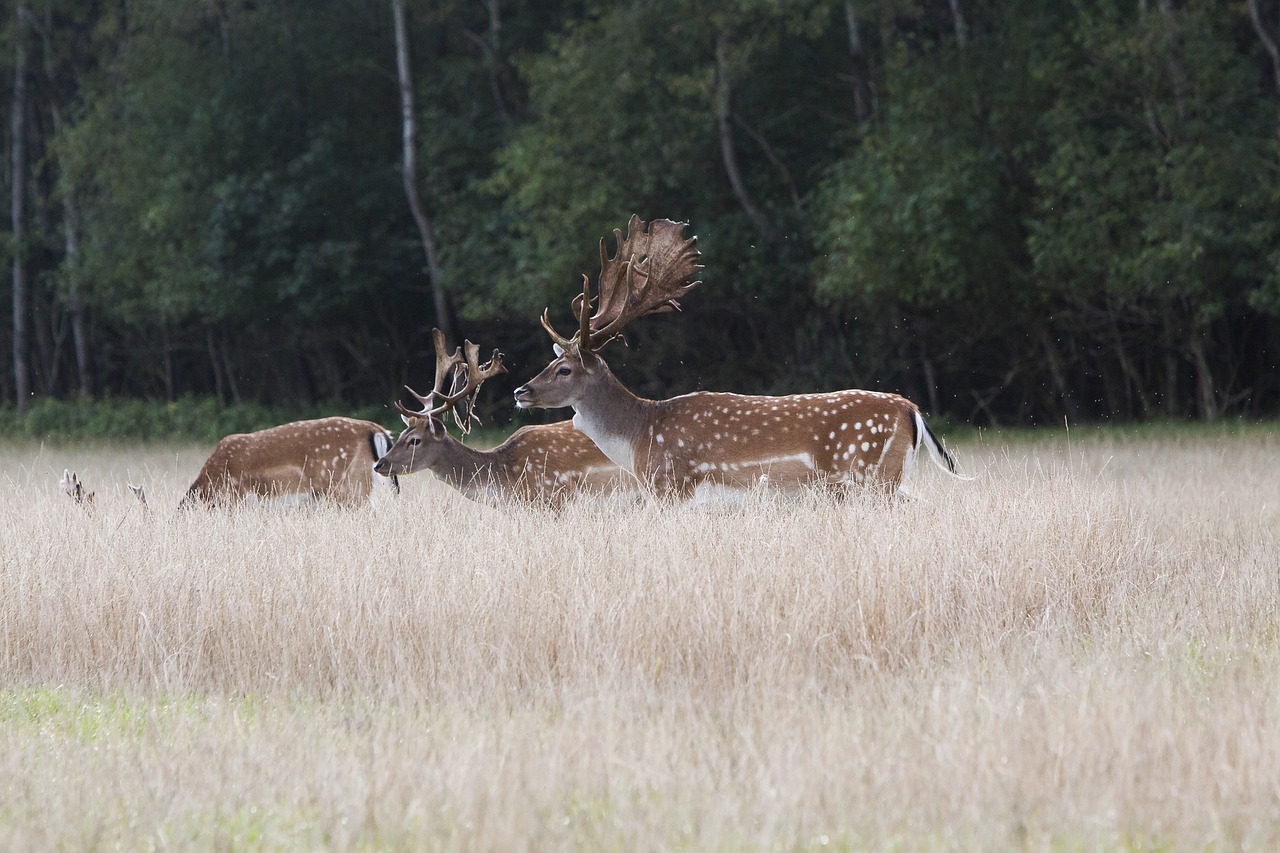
<point>646,276</point>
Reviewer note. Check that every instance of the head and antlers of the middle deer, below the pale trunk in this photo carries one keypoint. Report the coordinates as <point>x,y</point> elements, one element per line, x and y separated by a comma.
<point>426,431</point>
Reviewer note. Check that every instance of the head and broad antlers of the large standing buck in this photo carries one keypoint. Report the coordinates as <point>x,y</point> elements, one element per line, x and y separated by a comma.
<point>647,275</point>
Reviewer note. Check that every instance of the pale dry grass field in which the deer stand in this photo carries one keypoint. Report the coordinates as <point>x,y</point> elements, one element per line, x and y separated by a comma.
<point>1077,651</point>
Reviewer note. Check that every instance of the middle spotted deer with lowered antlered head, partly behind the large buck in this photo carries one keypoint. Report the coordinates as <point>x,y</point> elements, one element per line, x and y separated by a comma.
<point>540,464</point>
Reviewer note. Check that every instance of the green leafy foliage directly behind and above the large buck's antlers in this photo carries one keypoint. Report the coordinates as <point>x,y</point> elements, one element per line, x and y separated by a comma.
<point>606,142</point>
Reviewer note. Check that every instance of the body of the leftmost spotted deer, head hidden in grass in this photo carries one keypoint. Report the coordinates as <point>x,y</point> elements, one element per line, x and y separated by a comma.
<point>331,459</point>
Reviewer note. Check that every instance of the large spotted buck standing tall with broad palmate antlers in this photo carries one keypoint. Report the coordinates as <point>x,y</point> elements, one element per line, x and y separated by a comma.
<point>703,443</point>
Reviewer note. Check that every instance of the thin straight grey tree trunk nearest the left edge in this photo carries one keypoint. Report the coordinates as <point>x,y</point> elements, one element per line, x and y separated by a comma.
<point>21,289</point>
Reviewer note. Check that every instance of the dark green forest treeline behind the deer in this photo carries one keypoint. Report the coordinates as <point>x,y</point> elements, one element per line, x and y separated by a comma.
<point>1013,212</point>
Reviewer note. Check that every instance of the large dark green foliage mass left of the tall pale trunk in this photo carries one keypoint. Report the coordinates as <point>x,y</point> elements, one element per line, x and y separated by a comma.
<point>216,172</point>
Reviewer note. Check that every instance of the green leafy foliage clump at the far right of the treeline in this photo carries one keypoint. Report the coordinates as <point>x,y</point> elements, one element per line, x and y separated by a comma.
<point>1156,195</point>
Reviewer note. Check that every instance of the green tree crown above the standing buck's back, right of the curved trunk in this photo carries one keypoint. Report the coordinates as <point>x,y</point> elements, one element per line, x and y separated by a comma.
<point>917,215</point>
